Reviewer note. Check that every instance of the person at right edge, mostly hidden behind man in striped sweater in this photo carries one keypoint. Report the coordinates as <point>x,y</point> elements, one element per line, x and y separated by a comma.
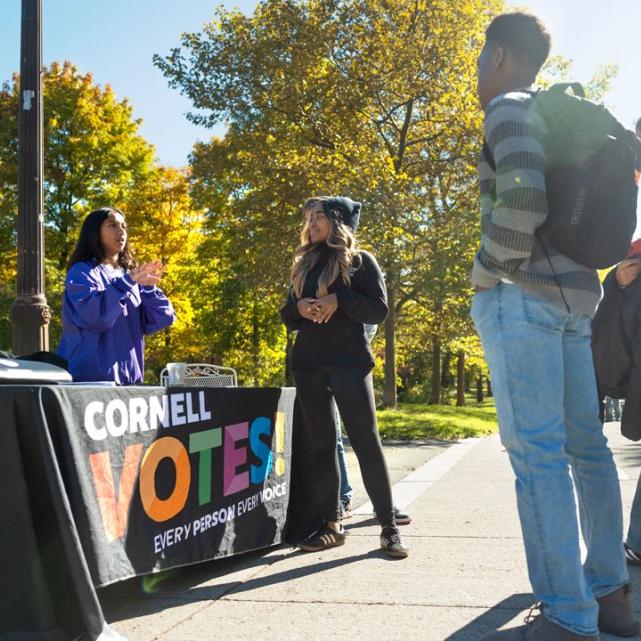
<point>616,347</point>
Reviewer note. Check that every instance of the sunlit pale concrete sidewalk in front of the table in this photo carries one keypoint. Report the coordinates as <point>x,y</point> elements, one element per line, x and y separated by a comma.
<point>465,576</point>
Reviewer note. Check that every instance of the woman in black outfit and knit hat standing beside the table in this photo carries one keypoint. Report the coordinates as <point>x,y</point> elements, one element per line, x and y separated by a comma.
<point>336,289</point>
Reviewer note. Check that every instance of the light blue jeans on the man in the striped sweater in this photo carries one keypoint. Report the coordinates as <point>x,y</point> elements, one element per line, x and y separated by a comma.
<point>543,381</point>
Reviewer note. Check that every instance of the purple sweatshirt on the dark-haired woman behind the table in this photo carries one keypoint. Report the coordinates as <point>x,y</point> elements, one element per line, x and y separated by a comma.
<point>105,317</point>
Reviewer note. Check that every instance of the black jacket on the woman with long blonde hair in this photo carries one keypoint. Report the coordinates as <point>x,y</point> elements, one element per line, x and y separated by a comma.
<point>341,341</point>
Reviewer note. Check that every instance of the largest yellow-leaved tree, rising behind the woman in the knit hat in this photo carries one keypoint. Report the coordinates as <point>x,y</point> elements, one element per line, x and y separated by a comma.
<point>372,98</point>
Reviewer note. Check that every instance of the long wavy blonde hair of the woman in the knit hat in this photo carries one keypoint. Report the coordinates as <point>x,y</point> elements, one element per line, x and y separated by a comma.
<point>344,256</point>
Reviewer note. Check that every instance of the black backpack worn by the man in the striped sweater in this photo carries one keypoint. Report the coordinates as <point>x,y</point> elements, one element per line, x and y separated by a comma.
<point>592,179</point>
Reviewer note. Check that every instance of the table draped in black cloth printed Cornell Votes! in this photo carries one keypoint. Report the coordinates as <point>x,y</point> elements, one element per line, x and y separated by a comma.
<point>99,484</point>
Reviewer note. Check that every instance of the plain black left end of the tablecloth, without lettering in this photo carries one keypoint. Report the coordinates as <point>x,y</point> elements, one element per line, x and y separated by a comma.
<point>47,593</point>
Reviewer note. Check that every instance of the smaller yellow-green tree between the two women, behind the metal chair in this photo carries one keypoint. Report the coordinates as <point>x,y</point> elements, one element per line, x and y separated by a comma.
<point>245,235</point>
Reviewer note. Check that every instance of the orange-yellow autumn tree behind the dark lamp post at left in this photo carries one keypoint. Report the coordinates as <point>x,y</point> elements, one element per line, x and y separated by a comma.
<point>94,155</point>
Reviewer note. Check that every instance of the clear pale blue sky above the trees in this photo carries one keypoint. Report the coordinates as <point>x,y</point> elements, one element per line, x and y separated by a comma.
<point>116,40</point>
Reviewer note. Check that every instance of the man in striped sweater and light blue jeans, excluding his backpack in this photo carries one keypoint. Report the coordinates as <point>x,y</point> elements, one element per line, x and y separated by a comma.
<point>532,308</point>
